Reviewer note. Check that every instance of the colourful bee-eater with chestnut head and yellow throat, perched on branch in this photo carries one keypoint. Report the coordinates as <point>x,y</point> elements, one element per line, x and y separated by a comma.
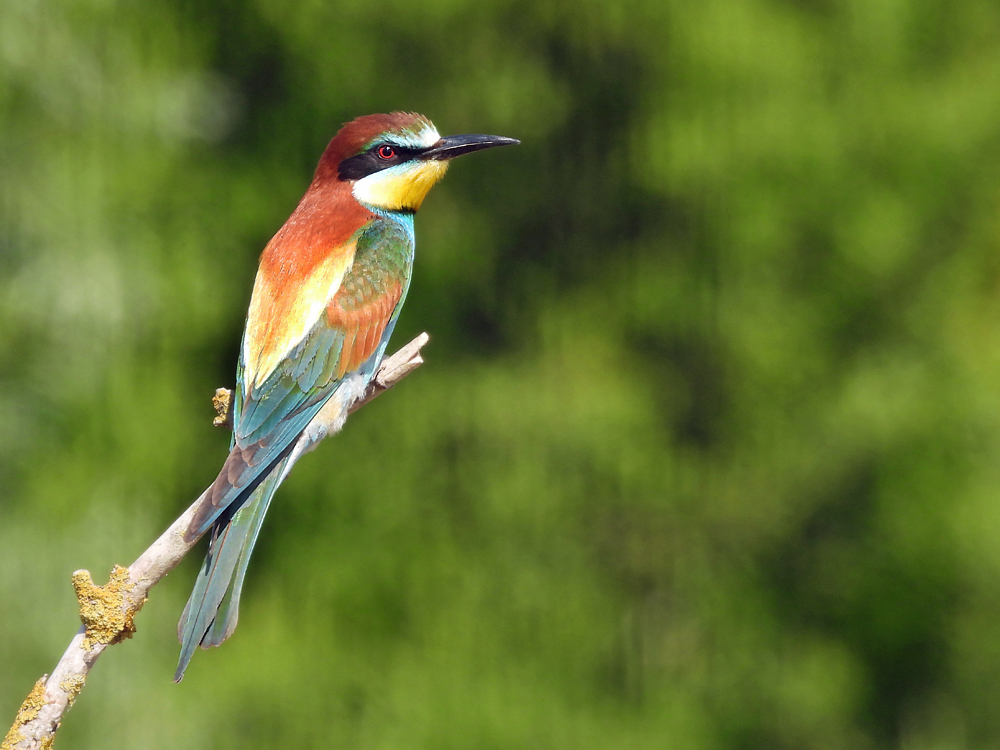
<point>328,291</point>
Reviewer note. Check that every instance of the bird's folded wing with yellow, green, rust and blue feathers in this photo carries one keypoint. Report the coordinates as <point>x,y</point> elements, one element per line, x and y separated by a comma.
<point>285,378</point>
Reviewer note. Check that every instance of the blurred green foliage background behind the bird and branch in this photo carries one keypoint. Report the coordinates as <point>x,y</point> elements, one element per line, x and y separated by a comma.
<point>706,453</point>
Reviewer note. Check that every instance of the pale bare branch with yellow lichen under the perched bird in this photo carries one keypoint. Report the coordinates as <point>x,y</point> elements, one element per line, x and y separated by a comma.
<point>108,611</point>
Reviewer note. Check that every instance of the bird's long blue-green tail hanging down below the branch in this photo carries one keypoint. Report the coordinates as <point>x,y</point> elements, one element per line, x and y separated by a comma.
<point>213,609</point>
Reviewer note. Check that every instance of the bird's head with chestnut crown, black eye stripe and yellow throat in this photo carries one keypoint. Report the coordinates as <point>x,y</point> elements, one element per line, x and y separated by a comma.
<point>392,161</point>
